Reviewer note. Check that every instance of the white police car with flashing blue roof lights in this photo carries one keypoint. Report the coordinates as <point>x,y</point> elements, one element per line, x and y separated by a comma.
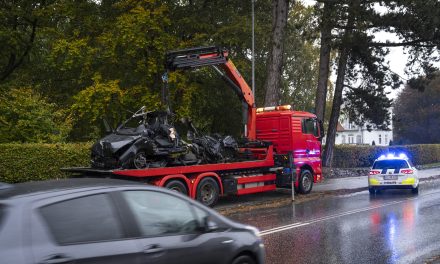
<point>393,172</point>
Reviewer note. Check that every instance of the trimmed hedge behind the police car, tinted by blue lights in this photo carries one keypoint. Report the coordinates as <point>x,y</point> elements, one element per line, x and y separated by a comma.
<point>349,156</point>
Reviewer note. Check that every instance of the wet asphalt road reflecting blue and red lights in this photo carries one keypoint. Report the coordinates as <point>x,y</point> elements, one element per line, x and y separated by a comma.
<point>393,227</point>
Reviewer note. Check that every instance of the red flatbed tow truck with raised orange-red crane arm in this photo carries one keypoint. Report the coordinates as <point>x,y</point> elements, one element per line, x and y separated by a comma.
<point>283,145</point>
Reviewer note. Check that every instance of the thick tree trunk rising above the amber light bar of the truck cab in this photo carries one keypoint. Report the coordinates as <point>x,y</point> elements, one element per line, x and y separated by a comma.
<point>280,10</point>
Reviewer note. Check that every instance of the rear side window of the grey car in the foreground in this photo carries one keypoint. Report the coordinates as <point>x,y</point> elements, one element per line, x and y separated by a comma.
<point>85,219</point>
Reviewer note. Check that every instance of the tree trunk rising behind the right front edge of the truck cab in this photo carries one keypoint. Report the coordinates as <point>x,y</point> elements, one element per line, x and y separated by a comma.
<point>324,64</point>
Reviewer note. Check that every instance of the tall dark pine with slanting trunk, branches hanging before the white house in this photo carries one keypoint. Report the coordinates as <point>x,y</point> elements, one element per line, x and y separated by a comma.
<point>354,22</point>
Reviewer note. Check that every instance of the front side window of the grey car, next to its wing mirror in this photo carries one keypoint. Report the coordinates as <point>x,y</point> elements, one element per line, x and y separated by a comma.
<point>160,214</point>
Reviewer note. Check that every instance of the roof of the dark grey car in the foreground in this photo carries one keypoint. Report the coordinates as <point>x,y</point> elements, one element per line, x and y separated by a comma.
<point>30,188</point>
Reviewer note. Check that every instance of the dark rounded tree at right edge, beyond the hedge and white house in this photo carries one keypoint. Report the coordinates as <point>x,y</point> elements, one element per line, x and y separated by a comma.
<point>416,117</point>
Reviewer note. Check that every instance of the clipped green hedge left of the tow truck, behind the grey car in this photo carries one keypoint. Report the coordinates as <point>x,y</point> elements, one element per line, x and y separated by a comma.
<point>31,162</point>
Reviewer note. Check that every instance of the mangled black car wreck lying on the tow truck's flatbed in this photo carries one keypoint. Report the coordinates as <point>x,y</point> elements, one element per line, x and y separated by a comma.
<point>149,140</point>
